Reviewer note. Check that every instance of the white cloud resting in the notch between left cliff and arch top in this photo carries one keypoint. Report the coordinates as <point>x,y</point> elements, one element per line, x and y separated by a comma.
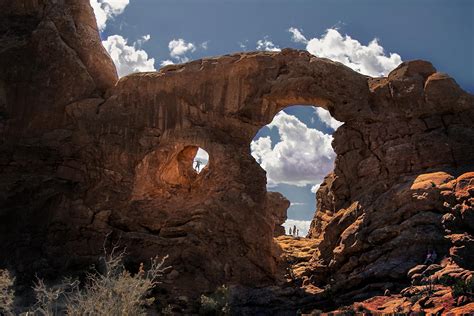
<point>128,59</point>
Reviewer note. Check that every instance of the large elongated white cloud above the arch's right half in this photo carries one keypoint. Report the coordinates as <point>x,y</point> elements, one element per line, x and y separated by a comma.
<point>367,59</point>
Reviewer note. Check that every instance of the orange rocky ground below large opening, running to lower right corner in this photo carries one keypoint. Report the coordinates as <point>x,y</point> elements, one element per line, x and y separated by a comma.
<point>438,288</point>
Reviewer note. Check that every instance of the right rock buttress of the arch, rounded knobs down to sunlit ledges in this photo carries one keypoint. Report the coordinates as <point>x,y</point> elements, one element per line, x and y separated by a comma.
<point>399,184</point>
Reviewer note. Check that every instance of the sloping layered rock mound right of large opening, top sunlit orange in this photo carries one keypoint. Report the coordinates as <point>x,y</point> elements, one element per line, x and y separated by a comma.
<point>419,214</point>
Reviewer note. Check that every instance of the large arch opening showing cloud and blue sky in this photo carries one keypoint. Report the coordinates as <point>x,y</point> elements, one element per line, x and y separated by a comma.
<point>295,151</point>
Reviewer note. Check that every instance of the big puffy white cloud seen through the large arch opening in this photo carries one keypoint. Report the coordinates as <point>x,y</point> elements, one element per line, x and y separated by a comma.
<point>302,156</point>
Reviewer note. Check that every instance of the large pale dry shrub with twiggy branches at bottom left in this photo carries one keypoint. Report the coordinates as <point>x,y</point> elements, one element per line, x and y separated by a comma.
<point>115,291</point>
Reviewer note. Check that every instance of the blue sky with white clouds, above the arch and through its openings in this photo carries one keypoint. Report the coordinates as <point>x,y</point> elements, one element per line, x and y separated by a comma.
<point>370,36</point>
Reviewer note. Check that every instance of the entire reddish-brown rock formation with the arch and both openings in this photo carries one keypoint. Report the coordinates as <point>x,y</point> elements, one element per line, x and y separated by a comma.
<point>83,156</point>
